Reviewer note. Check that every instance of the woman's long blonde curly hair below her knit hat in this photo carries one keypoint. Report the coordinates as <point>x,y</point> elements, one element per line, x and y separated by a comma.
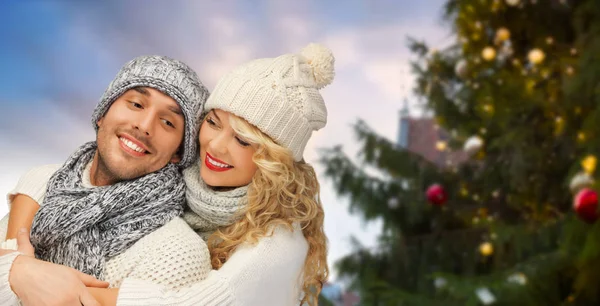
<point>282,192</point>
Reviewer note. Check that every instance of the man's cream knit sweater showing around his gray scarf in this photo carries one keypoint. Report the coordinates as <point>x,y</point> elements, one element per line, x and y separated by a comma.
<point>150,258</point>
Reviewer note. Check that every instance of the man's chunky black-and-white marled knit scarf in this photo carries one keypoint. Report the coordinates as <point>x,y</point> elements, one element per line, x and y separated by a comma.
<point>83,227</point>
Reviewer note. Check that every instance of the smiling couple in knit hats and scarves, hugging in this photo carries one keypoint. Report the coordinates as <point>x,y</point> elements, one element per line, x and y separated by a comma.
<point>184,198</point>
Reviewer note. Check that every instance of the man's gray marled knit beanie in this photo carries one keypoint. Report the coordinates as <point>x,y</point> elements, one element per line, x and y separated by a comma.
<point>171,77</point>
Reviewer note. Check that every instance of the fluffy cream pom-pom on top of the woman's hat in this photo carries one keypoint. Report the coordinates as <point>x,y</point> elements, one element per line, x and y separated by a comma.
<point>321,60</point>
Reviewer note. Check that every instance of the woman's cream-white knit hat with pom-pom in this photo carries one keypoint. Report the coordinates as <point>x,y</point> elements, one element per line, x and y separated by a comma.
<point>280,96</point>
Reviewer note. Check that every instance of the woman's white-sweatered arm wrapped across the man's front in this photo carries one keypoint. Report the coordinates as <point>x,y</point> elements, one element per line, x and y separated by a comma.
<point>267,273</point>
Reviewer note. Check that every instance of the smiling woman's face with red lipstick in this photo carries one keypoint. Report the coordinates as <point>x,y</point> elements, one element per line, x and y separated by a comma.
<point>225,157</point>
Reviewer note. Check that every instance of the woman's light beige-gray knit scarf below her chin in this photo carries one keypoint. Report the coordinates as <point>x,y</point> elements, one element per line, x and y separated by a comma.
<point>208,209</point>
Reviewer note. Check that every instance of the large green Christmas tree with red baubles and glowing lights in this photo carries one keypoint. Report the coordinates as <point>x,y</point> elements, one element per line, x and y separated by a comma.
<point>494,222</point>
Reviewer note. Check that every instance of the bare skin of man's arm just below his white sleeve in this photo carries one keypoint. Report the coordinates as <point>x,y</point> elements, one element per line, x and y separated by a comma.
<point>21,215</point>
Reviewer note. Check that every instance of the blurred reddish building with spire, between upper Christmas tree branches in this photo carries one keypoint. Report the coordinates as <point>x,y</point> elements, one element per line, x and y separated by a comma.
<point>424,137</point>
